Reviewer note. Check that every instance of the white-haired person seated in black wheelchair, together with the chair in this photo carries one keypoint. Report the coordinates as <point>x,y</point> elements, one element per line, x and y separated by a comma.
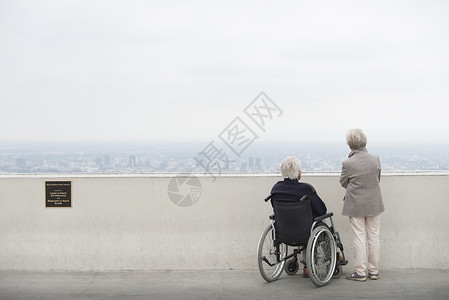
<point>299,222</point>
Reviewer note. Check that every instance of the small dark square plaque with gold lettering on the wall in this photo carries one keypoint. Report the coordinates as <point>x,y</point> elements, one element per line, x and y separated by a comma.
<point>58,194</point>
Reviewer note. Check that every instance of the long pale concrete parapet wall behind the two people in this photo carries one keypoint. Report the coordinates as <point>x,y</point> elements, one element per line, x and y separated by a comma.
<point>130,223</point>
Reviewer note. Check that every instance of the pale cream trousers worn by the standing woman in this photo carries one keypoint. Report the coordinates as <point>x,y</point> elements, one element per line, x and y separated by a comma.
<point>366,229</point>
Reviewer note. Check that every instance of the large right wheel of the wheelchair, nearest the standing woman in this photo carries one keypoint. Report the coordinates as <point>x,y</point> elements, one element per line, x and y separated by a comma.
<point>321,255</point>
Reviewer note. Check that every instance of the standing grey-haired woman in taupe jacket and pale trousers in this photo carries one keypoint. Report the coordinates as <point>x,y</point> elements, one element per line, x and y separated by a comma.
<point>360,176</point>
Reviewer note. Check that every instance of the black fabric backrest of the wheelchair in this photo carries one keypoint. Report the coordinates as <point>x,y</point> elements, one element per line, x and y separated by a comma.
<point>293,219</point>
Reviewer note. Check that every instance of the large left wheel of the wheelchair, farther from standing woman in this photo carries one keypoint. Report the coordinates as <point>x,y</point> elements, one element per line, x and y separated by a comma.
<point>270,256</point>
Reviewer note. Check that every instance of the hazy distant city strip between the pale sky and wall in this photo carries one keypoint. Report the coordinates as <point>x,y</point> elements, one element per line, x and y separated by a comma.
<point>193,157</point>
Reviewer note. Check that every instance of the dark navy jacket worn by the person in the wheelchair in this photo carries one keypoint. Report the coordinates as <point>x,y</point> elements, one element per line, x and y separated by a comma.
<point>292,190</point>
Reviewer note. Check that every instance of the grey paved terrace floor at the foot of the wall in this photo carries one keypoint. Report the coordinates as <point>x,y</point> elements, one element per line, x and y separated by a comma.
<point>229,284</point>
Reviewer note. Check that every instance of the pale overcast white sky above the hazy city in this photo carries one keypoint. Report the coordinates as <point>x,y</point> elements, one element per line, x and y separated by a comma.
<point>108,70</point>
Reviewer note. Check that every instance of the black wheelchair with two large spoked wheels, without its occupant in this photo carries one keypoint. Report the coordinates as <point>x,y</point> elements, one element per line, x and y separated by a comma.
<point>292,225</point>
